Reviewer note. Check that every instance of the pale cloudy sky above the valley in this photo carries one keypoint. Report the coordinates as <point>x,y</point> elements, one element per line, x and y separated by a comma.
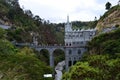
<point>56,11</point>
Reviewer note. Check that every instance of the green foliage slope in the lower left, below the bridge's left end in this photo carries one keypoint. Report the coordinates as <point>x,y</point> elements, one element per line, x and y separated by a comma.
<point>20,64</point>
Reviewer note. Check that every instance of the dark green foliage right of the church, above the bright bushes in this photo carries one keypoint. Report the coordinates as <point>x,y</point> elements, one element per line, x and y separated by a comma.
<point>105,43</point>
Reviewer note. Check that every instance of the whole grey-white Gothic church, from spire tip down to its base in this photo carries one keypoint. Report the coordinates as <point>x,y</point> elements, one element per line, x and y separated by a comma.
<point>75,43</point>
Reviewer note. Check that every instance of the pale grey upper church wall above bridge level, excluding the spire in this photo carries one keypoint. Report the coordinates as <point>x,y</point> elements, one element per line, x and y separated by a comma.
<point>78,38</point>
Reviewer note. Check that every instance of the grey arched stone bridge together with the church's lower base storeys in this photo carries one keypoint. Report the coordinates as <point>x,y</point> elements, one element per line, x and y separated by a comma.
<point>72,53</point>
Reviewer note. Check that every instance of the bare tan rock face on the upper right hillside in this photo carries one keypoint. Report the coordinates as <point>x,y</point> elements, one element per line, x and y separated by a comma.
<point>109,19</point>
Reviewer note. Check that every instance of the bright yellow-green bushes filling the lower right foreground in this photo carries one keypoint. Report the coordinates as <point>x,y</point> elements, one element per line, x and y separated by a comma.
<point>95,67</point>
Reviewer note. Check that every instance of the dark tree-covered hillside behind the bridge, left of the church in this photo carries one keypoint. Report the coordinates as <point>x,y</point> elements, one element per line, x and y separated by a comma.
<point>24,23</point>
